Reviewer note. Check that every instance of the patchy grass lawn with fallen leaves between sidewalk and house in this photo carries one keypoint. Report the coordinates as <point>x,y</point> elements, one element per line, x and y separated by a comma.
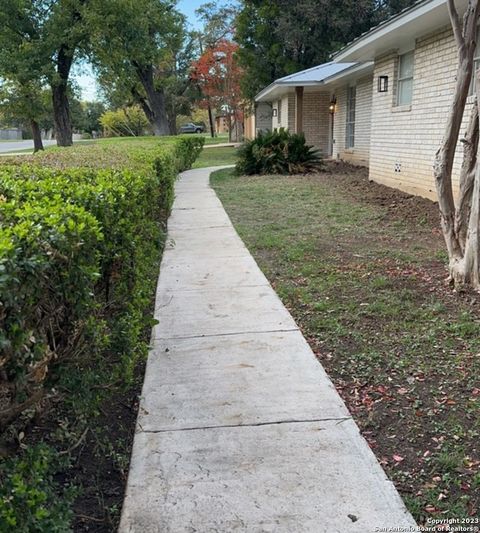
<point>362,267</point>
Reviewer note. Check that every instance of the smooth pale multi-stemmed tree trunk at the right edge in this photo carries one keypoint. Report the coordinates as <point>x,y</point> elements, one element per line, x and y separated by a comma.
<point>460,221</point>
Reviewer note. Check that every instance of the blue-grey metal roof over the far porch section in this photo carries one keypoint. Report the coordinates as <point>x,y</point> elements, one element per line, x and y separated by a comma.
<point>311,77</point>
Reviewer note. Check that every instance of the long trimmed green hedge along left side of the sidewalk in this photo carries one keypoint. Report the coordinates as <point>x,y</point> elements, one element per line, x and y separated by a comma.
<point>80,231</point>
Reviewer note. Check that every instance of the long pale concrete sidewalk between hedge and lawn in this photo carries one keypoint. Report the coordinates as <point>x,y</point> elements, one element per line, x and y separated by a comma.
<point>239,427</point>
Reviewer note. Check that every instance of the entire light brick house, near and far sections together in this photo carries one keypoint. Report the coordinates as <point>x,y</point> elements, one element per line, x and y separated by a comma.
<point>392,93</point>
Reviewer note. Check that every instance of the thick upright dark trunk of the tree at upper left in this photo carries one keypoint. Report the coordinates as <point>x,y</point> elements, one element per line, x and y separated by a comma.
<point>61,107</point>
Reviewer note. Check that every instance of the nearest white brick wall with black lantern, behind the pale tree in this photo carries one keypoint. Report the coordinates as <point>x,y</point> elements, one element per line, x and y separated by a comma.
<point>408,139</point>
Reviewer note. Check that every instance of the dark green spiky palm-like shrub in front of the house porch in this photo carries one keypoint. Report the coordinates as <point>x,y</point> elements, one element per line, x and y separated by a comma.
<point>277,152</point>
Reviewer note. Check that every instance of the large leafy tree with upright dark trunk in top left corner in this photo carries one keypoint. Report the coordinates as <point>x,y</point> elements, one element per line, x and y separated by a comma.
<point>40,41</point>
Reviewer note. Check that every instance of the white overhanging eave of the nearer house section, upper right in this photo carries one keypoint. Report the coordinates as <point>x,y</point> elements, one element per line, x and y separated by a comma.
<point>399,31</point>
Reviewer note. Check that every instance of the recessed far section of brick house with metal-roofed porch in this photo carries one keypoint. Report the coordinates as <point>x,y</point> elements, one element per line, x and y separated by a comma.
<point>319,102</point>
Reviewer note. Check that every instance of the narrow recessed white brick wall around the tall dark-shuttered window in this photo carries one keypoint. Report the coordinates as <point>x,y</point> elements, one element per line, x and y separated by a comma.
<point>359,154</point>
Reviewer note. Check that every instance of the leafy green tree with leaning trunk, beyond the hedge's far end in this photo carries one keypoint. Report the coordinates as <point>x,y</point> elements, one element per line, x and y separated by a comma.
<point>134,46</point>
